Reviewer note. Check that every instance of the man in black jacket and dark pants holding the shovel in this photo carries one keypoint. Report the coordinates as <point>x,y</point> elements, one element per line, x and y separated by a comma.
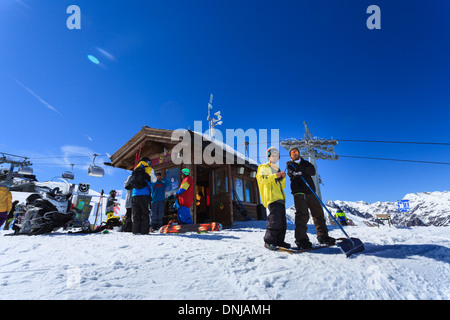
<point>304,199</point>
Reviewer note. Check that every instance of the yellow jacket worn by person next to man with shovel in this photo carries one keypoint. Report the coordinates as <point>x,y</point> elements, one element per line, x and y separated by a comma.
<point>271,189</point>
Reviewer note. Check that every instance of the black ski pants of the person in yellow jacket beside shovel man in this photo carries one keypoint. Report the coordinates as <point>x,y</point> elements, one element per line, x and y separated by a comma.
<point>276,224</point>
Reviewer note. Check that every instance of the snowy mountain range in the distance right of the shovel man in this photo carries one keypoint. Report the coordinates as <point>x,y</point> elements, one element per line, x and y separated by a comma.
<point>426,209</point>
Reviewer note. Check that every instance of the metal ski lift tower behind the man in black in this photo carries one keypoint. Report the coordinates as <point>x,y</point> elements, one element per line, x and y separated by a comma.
<point>313,149</point>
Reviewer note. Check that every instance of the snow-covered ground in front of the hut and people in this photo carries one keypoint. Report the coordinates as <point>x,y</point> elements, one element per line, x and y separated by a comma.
<point>398,263</point>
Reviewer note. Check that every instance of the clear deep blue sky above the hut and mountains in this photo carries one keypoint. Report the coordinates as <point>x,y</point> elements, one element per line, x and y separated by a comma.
<point>269,64</point>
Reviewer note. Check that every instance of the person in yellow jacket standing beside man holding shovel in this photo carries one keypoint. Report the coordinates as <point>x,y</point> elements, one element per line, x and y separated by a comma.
<point>271,183</point>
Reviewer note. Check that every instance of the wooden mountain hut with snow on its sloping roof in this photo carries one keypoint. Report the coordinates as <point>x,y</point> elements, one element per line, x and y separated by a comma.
<point>226,190</point>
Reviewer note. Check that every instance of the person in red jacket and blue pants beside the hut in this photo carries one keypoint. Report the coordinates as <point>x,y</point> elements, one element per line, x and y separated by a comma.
<point>185,198</point>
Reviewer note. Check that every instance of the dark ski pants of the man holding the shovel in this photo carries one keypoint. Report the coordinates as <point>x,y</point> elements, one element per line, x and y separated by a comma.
<point>303,202</point>
